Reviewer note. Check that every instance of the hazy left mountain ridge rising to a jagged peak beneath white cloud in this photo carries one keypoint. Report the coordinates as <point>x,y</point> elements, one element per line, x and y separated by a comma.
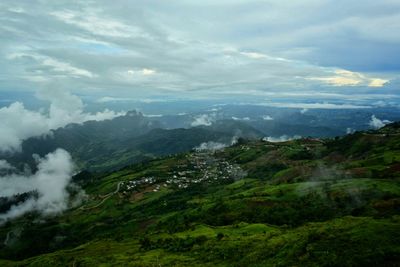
<point>85,141</point>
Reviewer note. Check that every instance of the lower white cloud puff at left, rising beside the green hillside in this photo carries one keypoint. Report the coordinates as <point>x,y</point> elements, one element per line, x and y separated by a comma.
<point>50,182</point>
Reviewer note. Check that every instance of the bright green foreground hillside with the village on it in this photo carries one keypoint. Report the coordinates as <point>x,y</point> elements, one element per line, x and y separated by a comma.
<point>305,202</point>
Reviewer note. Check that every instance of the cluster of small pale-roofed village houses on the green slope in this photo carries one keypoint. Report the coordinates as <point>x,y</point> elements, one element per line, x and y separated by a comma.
<point>199,167</point>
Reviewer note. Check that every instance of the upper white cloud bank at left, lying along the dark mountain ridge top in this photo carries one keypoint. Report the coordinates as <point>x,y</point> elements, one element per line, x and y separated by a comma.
<point>18,123</point>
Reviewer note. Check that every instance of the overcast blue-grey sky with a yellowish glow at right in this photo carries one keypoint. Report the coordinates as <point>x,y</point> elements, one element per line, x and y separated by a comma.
<point>341,49</point>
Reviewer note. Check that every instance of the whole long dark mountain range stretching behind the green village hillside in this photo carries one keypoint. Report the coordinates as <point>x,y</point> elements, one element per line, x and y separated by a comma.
<point>100,145</point>
